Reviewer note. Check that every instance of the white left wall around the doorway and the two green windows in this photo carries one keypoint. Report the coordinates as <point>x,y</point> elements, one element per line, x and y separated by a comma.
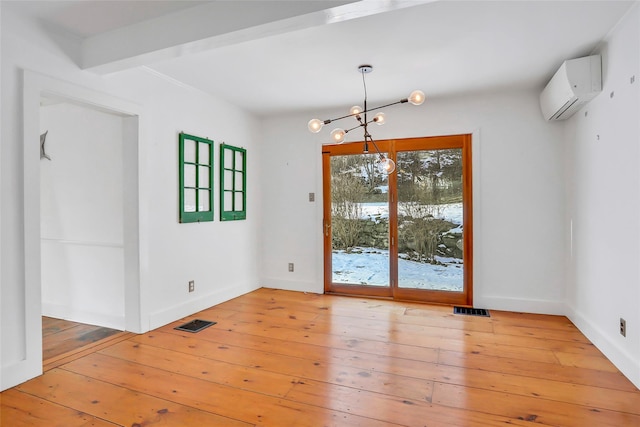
<point>222,258</point>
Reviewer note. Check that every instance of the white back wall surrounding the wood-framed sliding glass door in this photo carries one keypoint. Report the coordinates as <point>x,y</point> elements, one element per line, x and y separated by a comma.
<point>519,246</point>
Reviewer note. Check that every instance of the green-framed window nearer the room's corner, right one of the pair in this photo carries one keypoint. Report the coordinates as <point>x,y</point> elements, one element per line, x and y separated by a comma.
<point>233,183</point>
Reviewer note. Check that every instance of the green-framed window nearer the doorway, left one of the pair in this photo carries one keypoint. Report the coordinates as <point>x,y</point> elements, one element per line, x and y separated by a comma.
<point>195,163</point>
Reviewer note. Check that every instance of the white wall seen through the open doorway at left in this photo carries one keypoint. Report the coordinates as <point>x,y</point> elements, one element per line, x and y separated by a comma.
<point>81,211</point>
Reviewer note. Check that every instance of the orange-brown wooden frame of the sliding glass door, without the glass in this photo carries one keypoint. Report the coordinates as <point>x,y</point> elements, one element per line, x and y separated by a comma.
<point>392,146</point>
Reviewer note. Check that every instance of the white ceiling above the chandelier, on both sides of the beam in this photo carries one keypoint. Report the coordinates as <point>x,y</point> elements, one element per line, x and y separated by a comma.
<point>446,48</point>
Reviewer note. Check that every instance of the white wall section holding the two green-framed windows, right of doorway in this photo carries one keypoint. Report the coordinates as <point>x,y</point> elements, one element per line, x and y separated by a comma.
<point>222,258</point>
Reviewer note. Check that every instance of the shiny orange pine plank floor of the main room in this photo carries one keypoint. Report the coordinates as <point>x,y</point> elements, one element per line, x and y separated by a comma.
<point>278,358</point>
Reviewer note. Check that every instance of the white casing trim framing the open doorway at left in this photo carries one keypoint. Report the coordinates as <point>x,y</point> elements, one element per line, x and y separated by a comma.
<point>36,89</point>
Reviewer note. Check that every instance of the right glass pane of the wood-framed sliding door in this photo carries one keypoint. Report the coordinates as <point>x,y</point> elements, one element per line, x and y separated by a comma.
<point>430,238</point>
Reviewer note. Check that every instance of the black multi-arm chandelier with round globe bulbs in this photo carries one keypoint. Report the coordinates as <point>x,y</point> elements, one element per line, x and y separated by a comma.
<point>338,135</point>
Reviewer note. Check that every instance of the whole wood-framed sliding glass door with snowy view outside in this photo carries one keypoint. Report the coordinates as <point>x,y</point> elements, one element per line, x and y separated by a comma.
<point>406,235</point>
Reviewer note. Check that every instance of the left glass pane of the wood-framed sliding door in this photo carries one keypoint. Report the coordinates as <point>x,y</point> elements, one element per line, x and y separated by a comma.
<point>359,221</point>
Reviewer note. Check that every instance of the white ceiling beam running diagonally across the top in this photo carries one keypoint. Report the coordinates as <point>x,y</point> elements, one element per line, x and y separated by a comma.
<point>217,24</point>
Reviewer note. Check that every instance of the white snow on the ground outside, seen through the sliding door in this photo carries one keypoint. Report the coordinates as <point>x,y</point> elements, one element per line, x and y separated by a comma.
<point>371,265</point>
